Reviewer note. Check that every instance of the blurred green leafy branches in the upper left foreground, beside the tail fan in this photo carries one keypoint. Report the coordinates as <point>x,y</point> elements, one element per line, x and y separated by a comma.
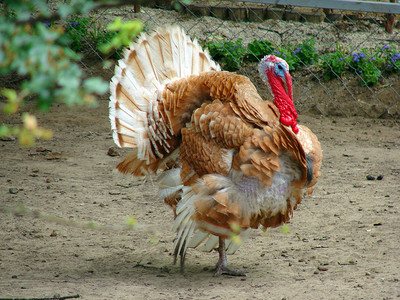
<point>35,47</point>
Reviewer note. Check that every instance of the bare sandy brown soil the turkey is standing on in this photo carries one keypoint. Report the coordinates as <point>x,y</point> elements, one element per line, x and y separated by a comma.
<point>343,241</point>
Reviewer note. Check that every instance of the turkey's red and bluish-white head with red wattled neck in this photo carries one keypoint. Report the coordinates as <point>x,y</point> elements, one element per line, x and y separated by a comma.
<point>275,71</point>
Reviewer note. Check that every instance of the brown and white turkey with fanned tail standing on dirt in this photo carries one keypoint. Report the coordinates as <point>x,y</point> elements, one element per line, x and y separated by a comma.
<point>227,161</point>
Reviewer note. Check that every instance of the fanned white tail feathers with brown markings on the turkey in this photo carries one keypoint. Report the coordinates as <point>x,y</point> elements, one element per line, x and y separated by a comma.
<point>136,92</point>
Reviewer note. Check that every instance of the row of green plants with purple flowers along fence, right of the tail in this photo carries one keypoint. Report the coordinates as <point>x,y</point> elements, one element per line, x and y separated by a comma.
<point>368,65</point>
